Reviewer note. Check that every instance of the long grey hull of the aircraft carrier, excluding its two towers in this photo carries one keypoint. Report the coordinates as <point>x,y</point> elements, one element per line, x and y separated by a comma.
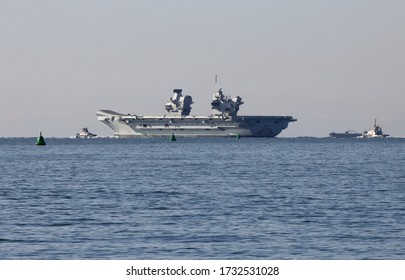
<point>132,126</point>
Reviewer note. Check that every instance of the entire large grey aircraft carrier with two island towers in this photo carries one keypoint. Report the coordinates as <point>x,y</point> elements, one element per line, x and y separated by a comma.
<point>222,122</point>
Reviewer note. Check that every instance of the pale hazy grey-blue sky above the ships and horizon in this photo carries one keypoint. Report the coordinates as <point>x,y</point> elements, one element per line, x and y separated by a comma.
<point>334,65</point>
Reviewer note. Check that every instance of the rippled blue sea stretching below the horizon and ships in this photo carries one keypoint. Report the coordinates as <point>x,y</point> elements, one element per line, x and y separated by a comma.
<point>281,198</point>
